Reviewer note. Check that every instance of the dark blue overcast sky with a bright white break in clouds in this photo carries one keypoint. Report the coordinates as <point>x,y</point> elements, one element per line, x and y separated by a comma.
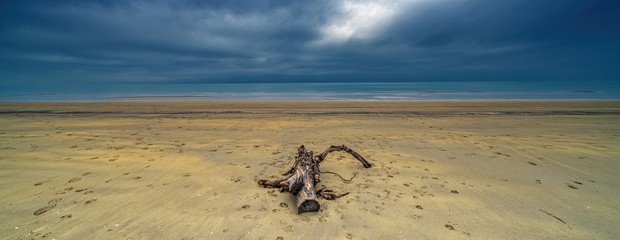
<point>182,41</point>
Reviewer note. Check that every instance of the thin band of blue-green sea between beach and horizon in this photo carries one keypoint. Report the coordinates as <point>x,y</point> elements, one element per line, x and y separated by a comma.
<point>318,91</point>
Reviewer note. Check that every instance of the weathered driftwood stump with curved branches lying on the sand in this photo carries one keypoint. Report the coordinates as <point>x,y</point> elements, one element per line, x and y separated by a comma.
<point>304,175</point>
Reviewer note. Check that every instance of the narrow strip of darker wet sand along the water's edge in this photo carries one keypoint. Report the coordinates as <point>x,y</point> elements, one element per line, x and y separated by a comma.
<point>318,107</point>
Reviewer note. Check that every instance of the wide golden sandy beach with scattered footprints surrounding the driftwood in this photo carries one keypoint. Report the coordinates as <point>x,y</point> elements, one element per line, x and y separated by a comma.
<point>188,170</point>
